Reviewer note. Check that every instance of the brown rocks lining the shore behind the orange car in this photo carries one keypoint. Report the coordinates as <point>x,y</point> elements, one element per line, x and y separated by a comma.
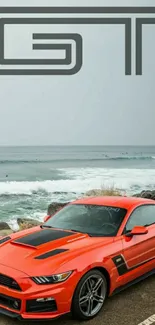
<point>24,223</point>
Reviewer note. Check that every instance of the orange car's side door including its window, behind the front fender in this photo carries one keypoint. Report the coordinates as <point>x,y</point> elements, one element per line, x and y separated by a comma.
<point>139,251</point>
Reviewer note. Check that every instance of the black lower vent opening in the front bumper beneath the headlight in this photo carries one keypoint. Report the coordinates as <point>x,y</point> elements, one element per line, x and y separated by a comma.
<point>33,306</point>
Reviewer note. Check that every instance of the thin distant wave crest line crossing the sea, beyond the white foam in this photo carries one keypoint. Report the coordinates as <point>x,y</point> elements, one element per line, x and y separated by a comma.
<point>39,161</point>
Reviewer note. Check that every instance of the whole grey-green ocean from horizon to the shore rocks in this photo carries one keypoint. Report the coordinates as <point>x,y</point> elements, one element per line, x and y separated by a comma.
<point>33,177</point>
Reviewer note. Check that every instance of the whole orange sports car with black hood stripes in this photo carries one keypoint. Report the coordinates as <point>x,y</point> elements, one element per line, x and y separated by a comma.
<point>89,250</point>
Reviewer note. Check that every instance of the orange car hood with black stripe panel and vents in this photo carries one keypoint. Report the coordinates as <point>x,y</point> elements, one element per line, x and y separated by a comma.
<point>39,251</point>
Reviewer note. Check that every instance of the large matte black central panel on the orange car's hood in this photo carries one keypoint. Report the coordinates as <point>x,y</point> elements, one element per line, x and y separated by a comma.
<point>42,237</point>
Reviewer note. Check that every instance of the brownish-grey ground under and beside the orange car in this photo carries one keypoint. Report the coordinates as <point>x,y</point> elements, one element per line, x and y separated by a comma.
<point>131,307</point>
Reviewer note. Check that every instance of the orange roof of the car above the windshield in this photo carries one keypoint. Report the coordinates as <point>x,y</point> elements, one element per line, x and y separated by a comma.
<point>115,201</point>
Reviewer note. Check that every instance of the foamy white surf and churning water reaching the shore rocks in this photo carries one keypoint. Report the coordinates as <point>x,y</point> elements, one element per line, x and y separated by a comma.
<point>30,199</point>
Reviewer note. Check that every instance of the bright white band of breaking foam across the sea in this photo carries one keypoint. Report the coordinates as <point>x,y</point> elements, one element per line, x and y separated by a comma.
<point>80,180</point>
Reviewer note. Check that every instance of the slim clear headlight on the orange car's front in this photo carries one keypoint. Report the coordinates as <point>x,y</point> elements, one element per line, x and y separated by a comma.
<point>52,279</point>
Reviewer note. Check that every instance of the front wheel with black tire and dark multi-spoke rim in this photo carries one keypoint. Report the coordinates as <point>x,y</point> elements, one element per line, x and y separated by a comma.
<point>79,304</point>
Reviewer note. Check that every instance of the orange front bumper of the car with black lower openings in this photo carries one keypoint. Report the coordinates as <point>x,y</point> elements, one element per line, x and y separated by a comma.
<point>27,304</point>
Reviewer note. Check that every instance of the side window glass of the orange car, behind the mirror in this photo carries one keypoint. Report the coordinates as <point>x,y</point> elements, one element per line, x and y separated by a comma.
<point>141,216</point>
